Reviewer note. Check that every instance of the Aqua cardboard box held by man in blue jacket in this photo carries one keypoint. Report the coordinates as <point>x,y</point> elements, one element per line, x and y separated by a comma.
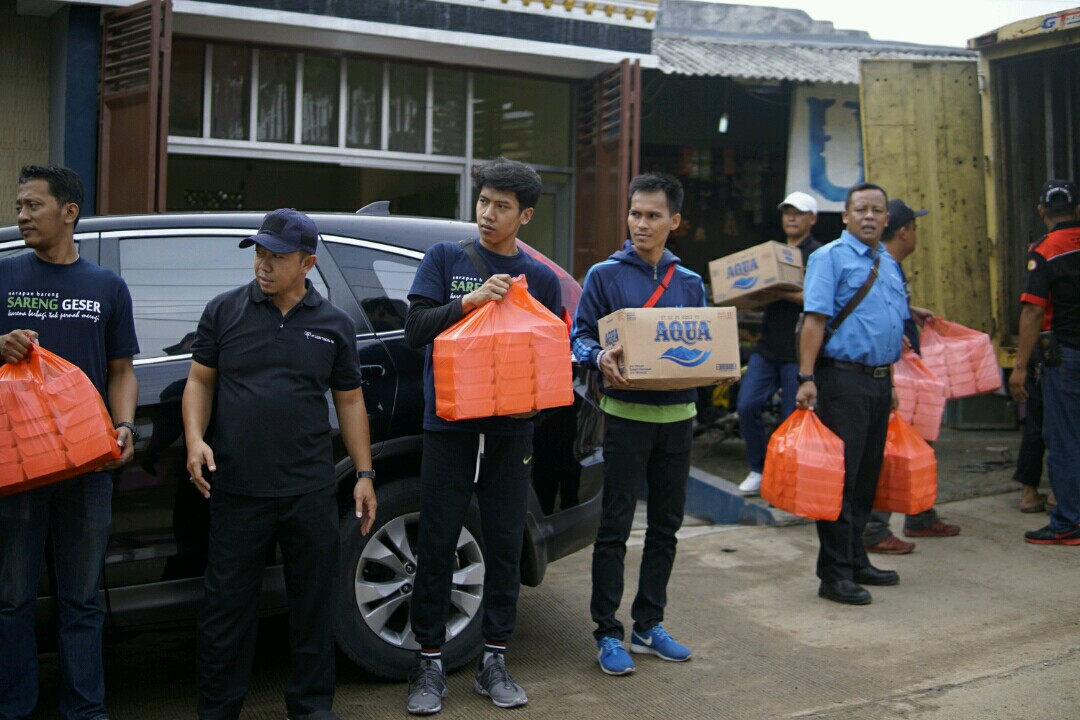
<point>674,348</point>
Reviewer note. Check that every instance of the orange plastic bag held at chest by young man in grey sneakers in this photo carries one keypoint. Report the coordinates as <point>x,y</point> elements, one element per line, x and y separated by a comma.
<point>506,358</point>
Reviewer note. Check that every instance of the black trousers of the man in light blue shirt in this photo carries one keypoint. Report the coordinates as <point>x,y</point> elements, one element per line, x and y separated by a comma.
<point>856,407</point>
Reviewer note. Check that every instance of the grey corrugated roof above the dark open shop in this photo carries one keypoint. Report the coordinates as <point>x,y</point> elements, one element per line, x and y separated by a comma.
<point>795,60</point>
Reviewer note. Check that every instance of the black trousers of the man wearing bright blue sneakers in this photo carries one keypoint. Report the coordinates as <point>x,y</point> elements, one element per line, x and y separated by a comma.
<point>637,454</point>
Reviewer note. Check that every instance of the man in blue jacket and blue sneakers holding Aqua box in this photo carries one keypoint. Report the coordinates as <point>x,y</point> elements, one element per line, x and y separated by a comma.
<point>649,432</point>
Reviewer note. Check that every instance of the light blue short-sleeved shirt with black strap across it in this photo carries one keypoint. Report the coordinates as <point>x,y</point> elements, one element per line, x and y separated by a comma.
<point>872,334</point>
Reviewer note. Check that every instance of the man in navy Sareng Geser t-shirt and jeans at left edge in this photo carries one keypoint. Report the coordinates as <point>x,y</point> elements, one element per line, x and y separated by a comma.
<point>83,314</point>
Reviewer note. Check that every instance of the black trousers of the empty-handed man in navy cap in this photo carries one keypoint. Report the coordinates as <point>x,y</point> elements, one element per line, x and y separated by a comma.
<point>242,535</point>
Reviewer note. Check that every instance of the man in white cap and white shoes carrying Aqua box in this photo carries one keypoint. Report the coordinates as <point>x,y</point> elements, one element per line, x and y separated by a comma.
<point>775,363</point>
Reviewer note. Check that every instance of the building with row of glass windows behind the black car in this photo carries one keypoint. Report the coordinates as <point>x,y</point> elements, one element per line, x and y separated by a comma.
<point>322,106</point>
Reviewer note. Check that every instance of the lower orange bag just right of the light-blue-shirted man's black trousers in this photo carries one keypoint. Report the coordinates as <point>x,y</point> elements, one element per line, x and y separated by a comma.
<point>909,480</point>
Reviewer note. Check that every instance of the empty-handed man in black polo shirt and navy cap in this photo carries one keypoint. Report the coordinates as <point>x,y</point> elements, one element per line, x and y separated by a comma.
<point>264,358</point>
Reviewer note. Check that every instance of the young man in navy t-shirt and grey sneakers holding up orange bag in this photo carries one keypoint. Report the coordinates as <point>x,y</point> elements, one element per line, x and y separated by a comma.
<point>490,456</point>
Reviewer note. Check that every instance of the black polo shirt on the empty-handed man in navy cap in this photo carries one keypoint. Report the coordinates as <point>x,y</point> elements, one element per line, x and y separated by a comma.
<point>272,420</point>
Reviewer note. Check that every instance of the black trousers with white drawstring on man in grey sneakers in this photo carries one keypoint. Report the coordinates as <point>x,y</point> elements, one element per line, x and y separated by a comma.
<point>448,471</point>
